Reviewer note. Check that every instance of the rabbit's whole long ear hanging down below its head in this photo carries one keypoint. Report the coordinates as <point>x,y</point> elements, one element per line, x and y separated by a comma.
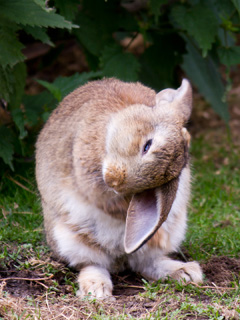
<point>146,213</point>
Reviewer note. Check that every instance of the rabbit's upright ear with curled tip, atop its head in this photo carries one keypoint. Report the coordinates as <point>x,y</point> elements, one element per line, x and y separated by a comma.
<point>180,100</point>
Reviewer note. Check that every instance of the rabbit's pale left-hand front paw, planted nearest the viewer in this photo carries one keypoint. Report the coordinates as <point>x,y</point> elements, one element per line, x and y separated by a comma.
<point>96,282</point>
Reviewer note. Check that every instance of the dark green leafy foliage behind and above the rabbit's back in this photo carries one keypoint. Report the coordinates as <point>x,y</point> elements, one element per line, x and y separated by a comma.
<point>150,41</point>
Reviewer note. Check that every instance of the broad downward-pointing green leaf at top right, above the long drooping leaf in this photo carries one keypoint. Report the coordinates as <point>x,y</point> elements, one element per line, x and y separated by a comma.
<point>200,22</point>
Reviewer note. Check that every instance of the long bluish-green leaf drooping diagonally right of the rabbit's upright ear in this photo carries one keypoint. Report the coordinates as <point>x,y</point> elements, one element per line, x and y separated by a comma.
<point>206,76</point>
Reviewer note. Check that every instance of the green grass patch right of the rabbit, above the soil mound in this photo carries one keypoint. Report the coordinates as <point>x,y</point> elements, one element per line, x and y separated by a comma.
<point>214,216</point>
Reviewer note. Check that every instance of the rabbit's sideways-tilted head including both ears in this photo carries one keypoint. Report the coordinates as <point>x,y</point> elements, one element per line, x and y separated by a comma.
<point>146,150</point>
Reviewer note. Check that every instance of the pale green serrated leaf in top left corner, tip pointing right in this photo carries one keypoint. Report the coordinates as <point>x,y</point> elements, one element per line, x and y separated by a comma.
<point>32,13</point>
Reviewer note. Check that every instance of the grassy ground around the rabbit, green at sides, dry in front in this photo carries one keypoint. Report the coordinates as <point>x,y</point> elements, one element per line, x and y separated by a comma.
<point>213,230</point>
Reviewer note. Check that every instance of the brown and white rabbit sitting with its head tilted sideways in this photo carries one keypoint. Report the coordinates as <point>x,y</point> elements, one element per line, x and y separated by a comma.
<point>112,168</point>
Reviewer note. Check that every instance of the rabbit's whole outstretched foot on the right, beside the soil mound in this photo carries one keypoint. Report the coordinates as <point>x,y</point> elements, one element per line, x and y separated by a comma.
<point>163,267</point>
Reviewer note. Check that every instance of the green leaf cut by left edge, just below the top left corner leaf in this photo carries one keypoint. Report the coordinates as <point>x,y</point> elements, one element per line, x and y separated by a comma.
<point>10,47</point>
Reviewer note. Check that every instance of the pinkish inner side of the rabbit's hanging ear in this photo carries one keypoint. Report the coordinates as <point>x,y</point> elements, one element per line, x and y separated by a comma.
<point>142,221</point>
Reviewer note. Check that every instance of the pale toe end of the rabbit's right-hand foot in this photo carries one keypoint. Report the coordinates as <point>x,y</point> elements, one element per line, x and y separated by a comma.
<point>190,271</point>
